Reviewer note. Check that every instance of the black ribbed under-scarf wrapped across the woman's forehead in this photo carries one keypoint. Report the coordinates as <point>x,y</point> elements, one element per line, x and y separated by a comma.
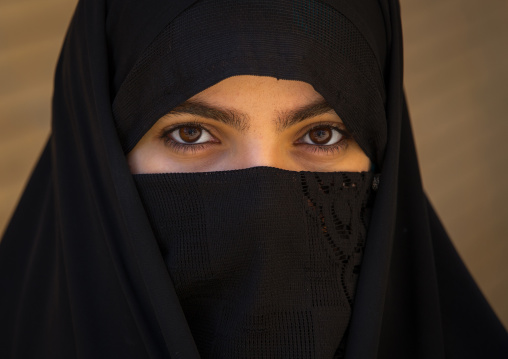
<point>291,39</point>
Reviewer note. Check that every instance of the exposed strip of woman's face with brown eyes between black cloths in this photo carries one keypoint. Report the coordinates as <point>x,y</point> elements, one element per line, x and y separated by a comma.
<point>248,121</point>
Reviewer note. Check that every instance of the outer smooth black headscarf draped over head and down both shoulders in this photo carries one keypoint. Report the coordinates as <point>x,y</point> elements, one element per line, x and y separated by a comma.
<point>80,271</point>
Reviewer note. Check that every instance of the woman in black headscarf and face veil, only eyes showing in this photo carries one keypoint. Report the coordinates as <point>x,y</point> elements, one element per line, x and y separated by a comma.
<point>92,266</point>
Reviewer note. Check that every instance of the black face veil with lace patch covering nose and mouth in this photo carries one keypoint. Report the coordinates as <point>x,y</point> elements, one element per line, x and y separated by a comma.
<point>264,261</point>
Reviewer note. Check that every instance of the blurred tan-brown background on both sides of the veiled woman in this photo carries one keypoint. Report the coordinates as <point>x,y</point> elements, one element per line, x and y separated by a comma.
<point>456,78</point>
